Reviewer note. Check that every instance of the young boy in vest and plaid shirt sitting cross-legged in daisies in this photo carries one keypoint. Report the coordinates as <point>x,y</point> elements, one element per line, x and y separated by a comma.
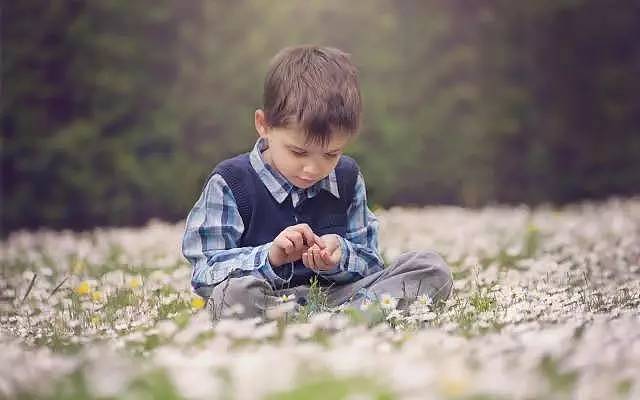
<point>295,208</point>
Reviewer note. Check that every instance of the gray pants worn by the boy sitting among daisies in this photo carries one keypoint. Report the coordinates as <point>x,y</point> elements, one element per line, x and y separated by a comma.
<point>412,274</point>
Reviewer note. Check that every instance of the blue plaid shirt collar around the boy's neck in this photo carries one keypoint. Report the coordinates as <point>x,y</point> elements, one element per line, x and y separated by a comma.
<point>278,185</point>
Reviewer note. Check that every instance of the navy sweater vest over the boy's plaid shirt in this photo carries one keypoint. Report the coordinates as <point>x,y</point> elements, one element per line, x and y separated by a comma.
<point>264,218</point>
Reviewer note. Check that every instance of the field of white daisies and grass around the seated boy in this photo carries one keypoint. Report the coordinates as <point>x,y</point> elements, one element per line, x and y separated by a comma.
<point>546,304</point>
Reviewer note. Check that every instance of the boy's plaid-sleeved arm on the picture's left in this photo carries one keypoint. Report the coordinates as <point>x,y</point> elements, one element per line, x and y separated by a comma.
<point>214,227</point>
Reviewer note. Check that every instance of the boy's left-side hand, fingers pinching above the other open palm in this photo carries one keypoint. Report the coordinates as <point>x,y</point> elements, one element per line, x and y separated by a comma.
<point>289,245</point>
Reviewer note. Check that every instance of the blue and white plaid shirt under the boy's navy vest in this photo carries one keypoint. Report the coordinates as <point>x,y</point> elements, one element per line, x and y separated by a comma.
<point>214,227</point>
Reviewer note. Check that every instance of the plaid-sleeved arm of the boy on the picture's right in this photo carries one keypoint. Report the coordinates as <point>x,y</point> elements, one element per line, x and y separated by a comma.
<point>360,253</point>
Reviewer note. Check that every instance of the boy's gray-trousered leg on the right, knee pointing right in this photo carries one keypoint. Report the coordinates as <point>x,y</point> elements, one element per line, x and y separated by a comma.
<point>412,274</point>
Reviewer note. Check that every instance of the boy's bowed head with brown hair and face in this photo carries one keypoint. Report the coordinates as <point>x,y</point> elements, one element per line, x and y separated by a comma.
<point>312,109</point>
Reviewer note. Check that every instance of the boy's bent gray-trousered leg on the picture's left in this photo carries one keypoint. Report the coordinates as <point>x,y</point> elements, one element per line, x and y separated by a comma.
<point>246,296</point>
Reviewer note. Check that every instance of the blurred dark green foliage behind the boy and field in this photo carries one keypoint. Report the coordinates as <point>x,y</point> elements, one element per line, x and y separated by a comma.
<point>114,112</point>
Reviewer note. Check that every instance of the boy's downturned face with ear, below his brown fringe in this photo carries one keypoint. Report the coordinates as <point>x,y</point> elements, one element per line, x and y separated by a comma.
<point>301,163</point>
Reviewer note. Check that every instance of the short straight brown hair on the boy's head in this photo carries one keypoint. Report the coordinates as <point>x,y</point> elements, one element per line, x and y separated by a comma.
<point>315,88</point>
